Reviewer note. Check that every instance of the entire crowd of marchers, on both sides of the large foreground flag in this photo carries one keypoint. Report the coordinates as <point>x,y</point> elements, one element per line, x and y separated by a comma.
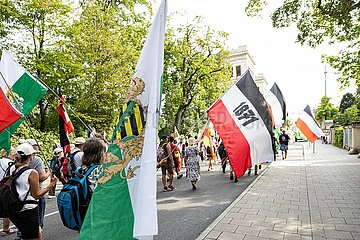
<point>28,171</point>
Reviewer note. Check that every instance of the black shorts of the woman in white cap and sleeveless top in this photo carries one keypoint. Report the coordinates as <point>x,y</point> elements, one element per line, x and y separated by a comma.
<point>28,223</point>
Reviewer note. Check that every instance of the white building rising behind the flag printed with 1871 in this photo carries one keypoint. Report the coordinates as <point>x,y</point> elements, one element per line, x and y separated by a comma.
<point>241,60</point>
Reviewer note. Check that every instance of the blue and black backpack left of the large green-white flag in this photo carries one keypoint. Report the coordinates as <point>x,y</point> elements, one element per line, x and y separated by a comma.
<point>74,199</point>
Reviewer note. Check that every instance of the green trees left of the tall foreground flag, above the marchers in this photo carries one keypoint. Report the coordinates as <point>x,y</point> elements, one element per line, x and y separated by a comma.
<point>86,51</point>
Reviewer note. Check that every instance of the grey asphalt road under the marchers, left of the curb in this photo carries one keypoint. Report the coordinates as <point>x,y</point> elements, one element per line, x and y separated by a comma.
<point>182,214</point>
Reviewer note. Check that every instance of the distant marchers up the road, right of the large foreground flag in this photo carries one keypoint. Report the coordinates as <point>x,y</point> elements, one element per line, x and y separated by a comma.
<point>190,151</point>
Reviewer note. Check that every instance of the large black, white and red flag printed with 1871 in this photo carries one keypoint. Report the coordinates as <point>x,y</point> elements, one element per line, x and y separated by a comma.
<point>242,119</point>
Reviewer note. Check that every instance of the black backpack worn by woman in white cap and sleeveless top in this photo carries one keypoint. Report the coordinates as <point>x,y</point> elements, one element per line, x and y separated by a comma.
<point>10,204</point>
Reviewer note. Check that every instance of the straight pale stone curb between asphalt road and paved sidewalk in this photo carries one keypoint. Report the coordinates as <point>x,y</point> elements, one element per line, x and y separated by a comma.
<point>222,215</point>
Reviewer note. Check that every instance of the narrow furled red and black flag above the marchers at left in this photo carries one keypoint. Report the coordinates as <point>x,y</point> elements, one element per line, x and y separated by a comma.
<point>65,125</point>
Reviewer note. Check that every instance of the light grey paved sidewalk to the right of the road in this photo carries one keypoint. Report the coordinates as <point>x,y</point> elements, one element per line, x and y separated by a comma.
<point>310,196</point>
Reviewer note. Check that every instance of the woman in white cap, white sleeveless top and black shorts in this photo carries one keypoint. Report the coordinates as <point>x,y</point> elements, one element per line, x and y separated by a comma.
<point>27,187</point>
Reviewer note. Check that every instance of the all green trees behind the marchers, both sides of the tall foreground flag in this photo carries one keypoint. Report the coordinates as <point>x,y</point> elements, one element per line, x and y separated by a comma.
<point>88,52</point>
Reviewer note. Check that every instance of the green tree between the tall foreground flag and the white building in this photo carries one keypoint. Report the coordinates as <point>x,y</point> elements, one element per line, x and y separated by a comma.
<point>196,74</point>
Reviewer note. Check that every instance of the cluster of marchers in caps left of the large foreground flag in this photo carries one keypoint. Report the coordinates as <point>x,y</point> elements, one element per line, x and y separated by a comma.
<point>26,172</point>
